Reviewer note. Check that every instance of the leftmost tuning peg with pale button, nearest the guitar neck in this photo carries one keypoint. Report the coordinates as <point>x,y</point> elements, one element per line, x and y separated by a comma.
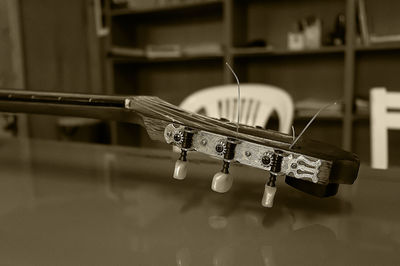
<point>181,165</point>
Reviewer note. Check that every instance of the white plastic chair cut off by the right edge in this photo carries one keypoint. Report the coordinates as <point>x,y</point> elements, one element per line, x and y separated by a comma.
<point>381,121</point>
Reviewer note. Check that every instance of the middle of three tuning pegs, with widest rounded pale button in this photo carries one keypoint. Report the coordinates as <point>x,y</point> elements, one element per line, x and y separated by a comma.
<point>222,181</point>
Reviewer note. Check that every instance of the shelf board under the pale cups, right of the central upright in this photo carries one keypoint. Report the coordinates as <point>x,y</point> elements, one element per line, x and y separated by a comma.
<point>265,51</point>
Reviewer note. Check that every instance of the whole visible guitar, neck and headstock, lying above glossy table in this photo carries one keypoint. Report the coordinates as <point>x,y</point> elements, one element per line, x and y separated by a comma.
<point>313,167</point>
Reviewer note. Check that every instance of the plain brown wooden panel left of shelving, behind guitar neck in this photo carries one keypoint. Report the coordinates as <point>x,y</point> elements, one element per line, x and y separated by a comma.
<point>58,52</point>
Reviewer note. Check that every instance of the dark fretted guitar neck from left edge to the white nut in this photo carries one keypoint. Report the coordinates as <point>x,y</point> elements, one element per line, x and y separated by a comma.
<point>68,104</point>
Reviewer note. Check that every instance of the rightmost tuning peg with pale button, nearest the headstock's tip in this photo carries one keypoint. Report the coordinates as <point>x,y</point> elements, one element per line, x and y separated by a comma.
<point>270,188</point>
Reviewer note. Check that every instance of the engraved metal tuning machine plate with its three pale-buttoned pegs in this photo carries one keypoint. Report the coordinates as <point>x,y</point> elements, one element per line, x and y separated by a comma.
<point>294,166</point>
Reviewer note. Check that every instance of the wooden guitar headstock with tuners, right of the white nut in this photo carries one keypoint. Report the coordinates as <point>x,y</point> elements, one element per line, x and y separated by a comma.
<point>310,166</point>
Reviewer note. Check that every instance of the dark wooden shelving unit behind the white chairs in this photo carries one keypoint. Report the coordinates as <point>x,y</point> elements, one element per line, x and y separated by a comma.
<point>330,73</point>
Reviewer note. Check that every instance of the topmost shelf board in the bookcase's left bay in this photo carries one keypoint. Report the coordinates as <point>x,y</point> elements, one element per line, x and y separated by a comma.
<point>167,9</point>
